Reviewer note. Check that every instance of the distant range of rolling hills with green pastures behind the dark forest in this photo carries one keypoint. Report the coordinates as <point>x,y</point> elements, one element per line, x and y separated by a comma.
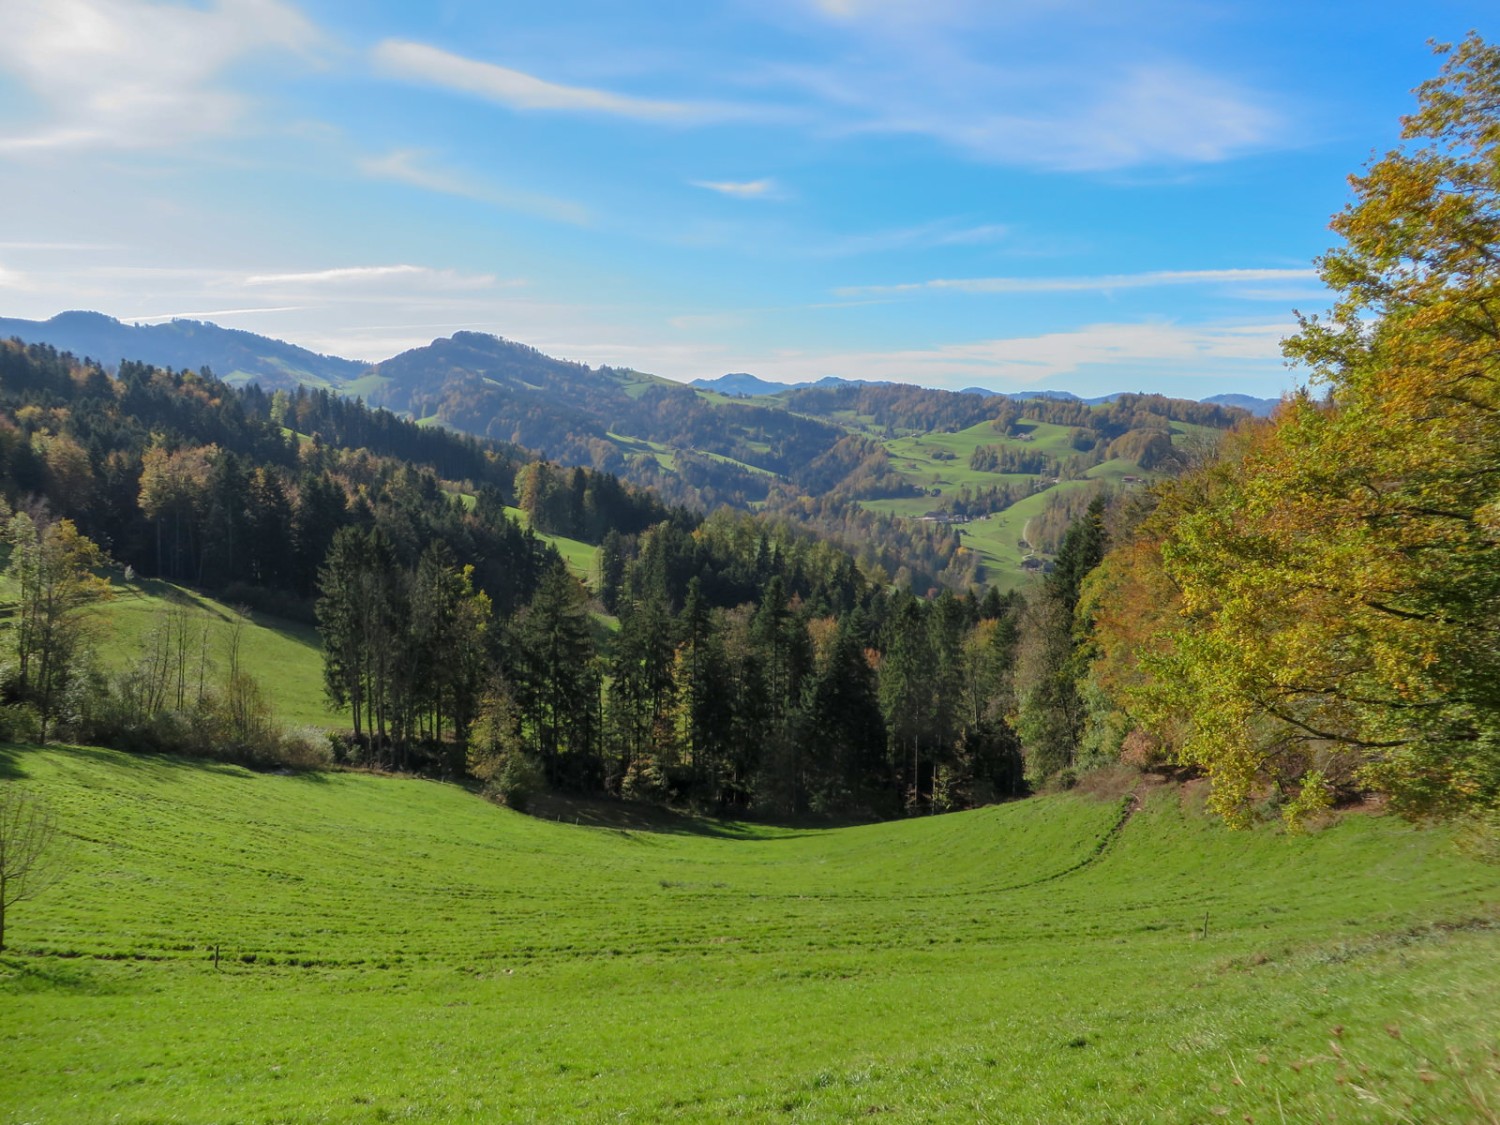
<point>844,440</point>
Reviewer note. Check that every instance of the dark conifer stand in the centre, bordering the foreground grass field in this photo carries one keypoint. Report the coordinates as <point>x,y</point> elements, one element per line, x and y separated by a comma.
<point>752,670</point>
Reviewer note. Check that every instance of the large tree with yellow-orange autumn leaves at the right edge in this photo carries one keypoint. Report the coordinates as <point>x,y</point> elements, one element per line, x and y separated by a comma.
<point>1337,619</point>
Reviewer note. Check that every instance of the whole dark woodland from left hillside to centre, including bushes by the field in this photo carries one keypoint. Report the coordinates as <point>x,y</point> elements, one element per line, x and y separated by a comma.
<point>755,665</point>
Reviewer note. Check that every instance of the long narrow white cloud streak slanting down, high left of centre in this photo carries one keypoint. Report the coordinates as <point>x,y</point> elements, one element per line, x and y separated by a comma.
<point>520,91</point>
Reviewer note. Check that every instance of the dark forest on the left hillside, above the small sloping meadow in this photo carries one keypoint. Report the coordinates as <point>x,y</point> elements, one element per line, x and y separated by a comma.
<point>181,476</point>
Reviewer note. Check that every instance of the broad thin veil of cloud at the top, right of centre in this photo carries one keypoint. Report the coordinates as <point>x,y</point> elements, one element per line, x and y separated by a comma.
<point>1087,89</point>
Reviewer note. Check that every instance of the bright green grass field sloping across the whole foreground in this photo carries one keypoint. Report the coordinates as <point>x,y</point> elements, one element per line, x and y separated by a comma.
<point>400,950</point>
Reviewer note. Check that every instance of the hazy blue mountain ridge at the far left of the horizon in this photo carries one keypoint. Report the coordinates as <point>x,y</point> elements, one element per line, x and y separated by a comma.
<point>235,356</point>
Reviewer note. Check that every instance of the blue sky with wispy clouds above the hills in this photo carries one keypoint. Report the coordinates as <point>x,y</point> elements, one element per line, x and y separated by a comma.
<point>1018,196</point>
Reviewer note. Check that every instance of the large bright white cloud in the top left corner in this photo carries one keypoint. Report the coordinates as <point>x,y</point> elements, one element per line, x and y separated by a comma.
<point>137,74</point>
